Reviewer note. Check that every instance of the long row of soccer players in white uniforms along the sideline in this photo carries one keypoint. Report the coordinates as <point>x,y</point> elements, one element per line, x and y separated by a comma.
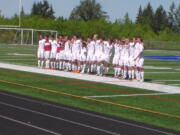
<point>93,55</point>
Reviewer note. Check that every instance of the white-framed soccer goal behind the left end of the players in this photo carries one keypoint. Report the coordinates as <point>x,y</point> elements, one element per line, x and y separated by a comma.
<point>21,36</point>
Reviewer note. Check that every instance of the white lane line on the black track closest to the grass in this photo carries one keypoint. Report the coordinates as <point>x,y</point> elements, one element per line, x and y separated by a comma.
<point>82,112</point>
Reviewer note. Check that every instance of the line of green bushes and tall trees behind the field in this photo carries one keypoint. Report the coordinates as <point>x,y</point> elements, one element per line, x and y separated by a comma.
<point>89,18</point>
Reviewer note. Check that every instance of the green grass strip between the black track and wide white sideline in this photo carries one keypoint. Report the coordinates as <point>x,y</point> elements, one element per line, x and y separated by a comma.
<point>164,104</point>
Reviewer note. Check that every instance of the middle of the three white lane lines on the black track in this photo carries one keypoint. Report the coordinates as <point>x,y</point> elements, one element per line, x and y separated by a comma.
<point>58,118</point>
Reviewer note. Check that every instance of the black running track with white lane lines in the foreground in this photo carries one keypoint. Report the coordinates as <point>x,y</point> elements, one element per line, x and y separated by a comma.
<point>22,115</point>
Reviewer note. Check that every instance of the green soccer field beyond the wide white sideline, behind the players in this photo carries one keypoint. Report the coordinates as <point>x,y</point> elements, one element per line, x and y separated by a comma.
<point>156,71</point>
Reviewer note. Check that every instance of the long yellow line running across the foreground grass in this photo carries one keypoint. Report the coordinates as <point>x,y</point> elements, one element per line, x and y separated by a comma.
<point>93,99</point>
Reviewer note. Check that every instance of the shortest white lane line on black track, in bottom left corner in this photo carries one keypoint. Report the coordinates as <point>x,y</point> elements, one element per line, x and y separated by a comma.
<point>29,125</point>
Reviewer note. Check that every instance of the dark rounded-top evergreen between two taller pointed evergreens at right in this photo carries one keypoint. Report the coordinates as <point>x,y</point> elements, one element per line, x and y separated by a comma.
<point>160,19</point>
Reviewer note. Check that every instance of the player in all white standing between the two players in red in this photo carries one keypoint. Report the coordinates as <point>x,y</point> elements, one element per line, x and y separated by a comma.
<point>53,52</point>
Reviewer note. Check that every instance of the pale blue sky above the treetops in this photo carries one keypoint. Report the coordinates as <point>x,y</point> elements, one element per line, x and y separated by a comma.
<point>115,8</point>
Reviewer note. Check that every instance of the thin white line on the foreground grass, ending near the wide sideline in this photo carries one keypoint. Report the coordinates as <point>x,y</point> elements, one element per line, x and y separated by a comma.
<point>131,95</point>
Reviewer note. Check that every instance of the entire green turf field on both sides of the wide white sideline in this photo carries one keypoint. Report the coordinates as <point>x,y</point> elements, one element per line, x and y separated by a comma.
<point>159,110</point>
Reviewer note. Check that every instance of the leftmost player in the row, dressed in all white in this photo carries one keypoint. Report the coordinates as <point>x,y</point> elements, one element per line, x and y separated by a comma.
<point>40,52</point>
